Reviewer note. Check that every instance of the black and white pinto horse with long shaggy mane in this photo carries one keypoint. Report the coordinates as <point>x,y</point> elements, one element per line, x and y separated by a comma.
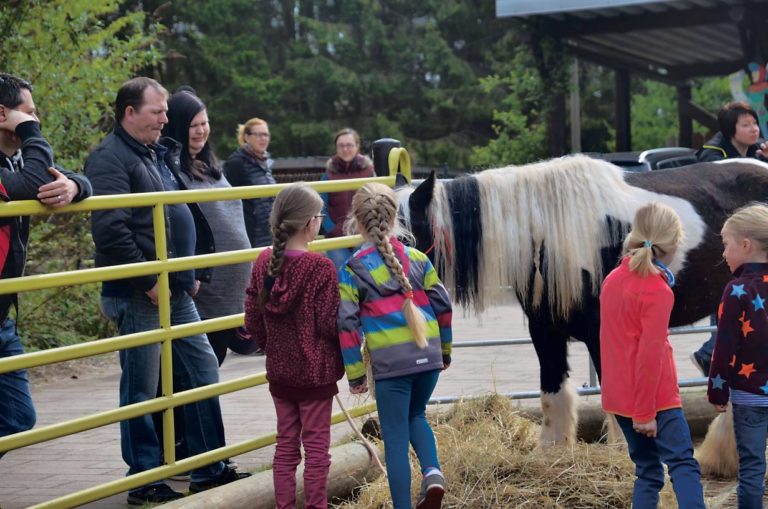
<point>549,232</point>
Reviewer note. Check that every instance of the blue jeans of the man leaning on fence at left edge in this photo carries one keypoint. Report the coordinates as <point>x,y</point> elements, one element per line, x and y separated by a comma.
<point>17,413</point>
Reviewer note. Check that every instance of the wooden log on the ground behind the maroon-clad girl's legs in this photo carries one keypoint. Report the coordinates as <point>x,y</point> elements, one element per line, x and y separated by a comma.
<point>351,466</point>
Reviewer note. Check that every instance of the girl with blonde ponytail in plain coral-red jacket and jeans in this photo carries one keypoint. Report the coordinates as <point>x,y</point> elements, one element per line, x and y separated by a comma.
<point>639,378</point>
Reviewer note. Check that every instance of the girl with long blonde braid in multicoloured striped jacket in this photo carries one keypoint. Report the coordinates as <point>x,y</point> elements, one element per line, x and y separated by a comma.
<point>391,295</point>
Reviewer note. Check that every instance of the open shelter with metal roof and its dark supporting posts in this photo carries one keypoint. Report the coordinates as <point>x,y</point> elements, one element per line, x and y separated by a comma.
<point>671,41</point>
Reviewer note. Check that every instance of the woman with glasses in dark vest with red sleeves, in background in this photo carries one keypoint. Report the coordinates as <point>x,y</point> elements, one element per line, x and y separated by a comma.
<point>348,163</point>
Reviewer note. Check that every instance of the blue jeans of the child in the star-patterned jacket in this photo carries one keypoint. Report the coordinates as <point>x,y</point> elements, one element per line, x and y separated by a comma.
<point>750,423</point>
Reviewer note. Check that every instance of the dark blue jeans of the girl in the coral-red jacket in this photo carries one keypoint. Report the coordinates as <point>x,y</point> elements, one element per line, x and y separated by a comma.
<point>672,446</point>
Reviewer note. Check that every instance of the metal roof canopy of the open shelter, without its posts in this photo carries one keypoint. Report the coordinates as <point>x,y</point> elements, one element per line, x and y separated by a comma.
<point>669,40</point>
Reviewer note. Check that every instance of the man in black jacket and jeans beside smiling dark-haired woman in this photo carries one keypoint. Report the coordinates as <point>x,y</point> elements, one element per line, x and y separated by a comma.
<point>130,160</point>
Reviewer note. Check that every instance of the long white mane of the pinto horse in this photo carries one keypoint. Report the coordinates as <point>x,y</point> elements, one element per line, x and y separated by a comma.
<point>551,210</point>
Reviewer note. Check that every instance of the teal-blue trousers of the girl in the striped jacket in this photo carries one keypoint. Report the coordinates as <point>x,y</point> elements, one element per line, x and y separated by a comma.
<point>402,403</point>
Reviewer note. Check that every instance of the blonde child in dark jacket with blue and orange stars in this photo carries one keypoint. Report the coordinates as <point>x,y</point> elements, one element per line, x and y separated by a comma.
<point>739,369</point>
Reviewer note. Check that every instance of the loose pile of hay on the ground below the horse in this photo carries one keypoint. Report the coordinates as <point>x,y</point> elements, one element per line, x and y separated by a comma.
<point>490,458</point>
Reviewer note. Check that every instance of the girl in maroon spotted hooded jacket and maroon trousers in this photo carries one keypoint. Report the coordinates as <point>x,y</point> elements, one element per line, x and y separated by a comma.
<point>290,308</point>
